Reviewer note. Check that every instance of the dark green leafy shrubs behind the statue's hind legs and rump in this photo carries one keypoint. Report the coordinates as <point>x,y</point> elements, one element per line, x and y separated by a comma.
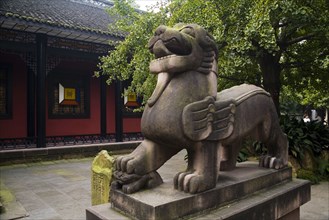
<point>311,138</point>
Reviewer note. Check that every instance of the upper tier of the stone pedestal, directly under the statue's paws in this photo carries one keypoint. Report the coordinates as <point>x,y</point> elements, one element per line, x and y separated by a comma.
<point>164,202</point>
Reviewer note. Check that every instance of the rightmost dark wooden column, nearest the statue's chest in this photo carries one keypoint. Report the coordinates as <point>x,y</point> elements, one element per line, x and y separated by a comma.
<point>118,112</point>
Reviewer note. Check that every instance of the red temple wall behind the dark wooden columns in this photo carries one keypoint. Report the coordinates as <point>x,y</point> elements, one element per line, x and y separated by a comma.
<point>16,127</point>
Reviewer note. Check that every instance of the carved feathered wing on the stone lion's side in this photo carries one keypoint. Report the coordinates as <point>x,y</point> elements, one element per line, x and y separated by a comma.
<point>208,119</point>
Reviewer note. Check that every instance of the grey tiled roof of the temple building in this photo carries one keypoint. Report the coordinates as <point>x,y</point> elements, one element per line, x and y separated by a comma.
<point>53,18</point>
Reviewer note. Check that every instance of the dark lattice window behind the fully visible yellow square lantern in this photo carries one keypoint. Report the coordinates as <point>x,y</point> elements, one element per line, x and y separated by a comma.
<point>69,96</point>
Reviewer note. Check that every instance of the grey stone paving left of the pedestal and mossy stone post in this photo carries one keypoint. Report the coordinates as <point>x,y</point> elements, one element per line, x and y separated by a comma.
<point>52,189</point>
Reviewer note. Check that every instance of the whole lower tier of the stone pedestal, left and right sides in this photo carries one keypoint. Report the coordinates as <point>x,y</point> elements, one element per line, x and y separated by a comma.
<point>281,202</point>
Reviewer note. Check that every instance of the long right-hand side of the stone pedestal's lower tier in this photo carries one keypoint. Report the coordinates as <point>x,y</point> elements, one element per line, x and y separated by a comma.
<point>280,202</point>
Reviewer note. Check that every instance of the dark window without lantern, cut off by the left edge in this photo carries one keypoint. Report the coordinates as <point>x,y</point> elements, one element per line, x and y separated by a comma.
<point>5,91</point>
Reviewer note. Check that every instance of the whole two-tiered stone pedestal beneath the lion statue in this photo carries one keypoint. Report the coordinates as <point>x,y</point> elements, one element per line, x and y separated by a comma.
<point>248,192</point>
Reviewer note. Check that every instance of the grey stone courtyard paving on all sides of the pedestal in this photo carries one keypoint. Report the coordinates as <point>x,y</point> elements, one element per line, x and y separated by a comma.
<point>61,189</point>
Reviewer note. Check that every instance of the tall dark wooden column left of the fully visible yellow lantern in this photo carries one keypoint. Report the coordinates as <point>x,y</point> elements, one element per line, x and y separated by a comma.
<point>41,89</point>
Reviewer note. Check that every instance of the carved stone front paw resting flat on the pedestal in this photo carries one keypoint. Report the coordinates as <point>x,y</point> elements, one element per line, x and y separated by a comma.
<point>193,183</point>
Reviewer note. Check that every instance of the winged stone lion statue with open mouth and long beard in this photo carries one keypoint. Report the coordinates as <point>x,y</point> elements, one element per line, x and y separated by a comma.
<point>186,112</point>
